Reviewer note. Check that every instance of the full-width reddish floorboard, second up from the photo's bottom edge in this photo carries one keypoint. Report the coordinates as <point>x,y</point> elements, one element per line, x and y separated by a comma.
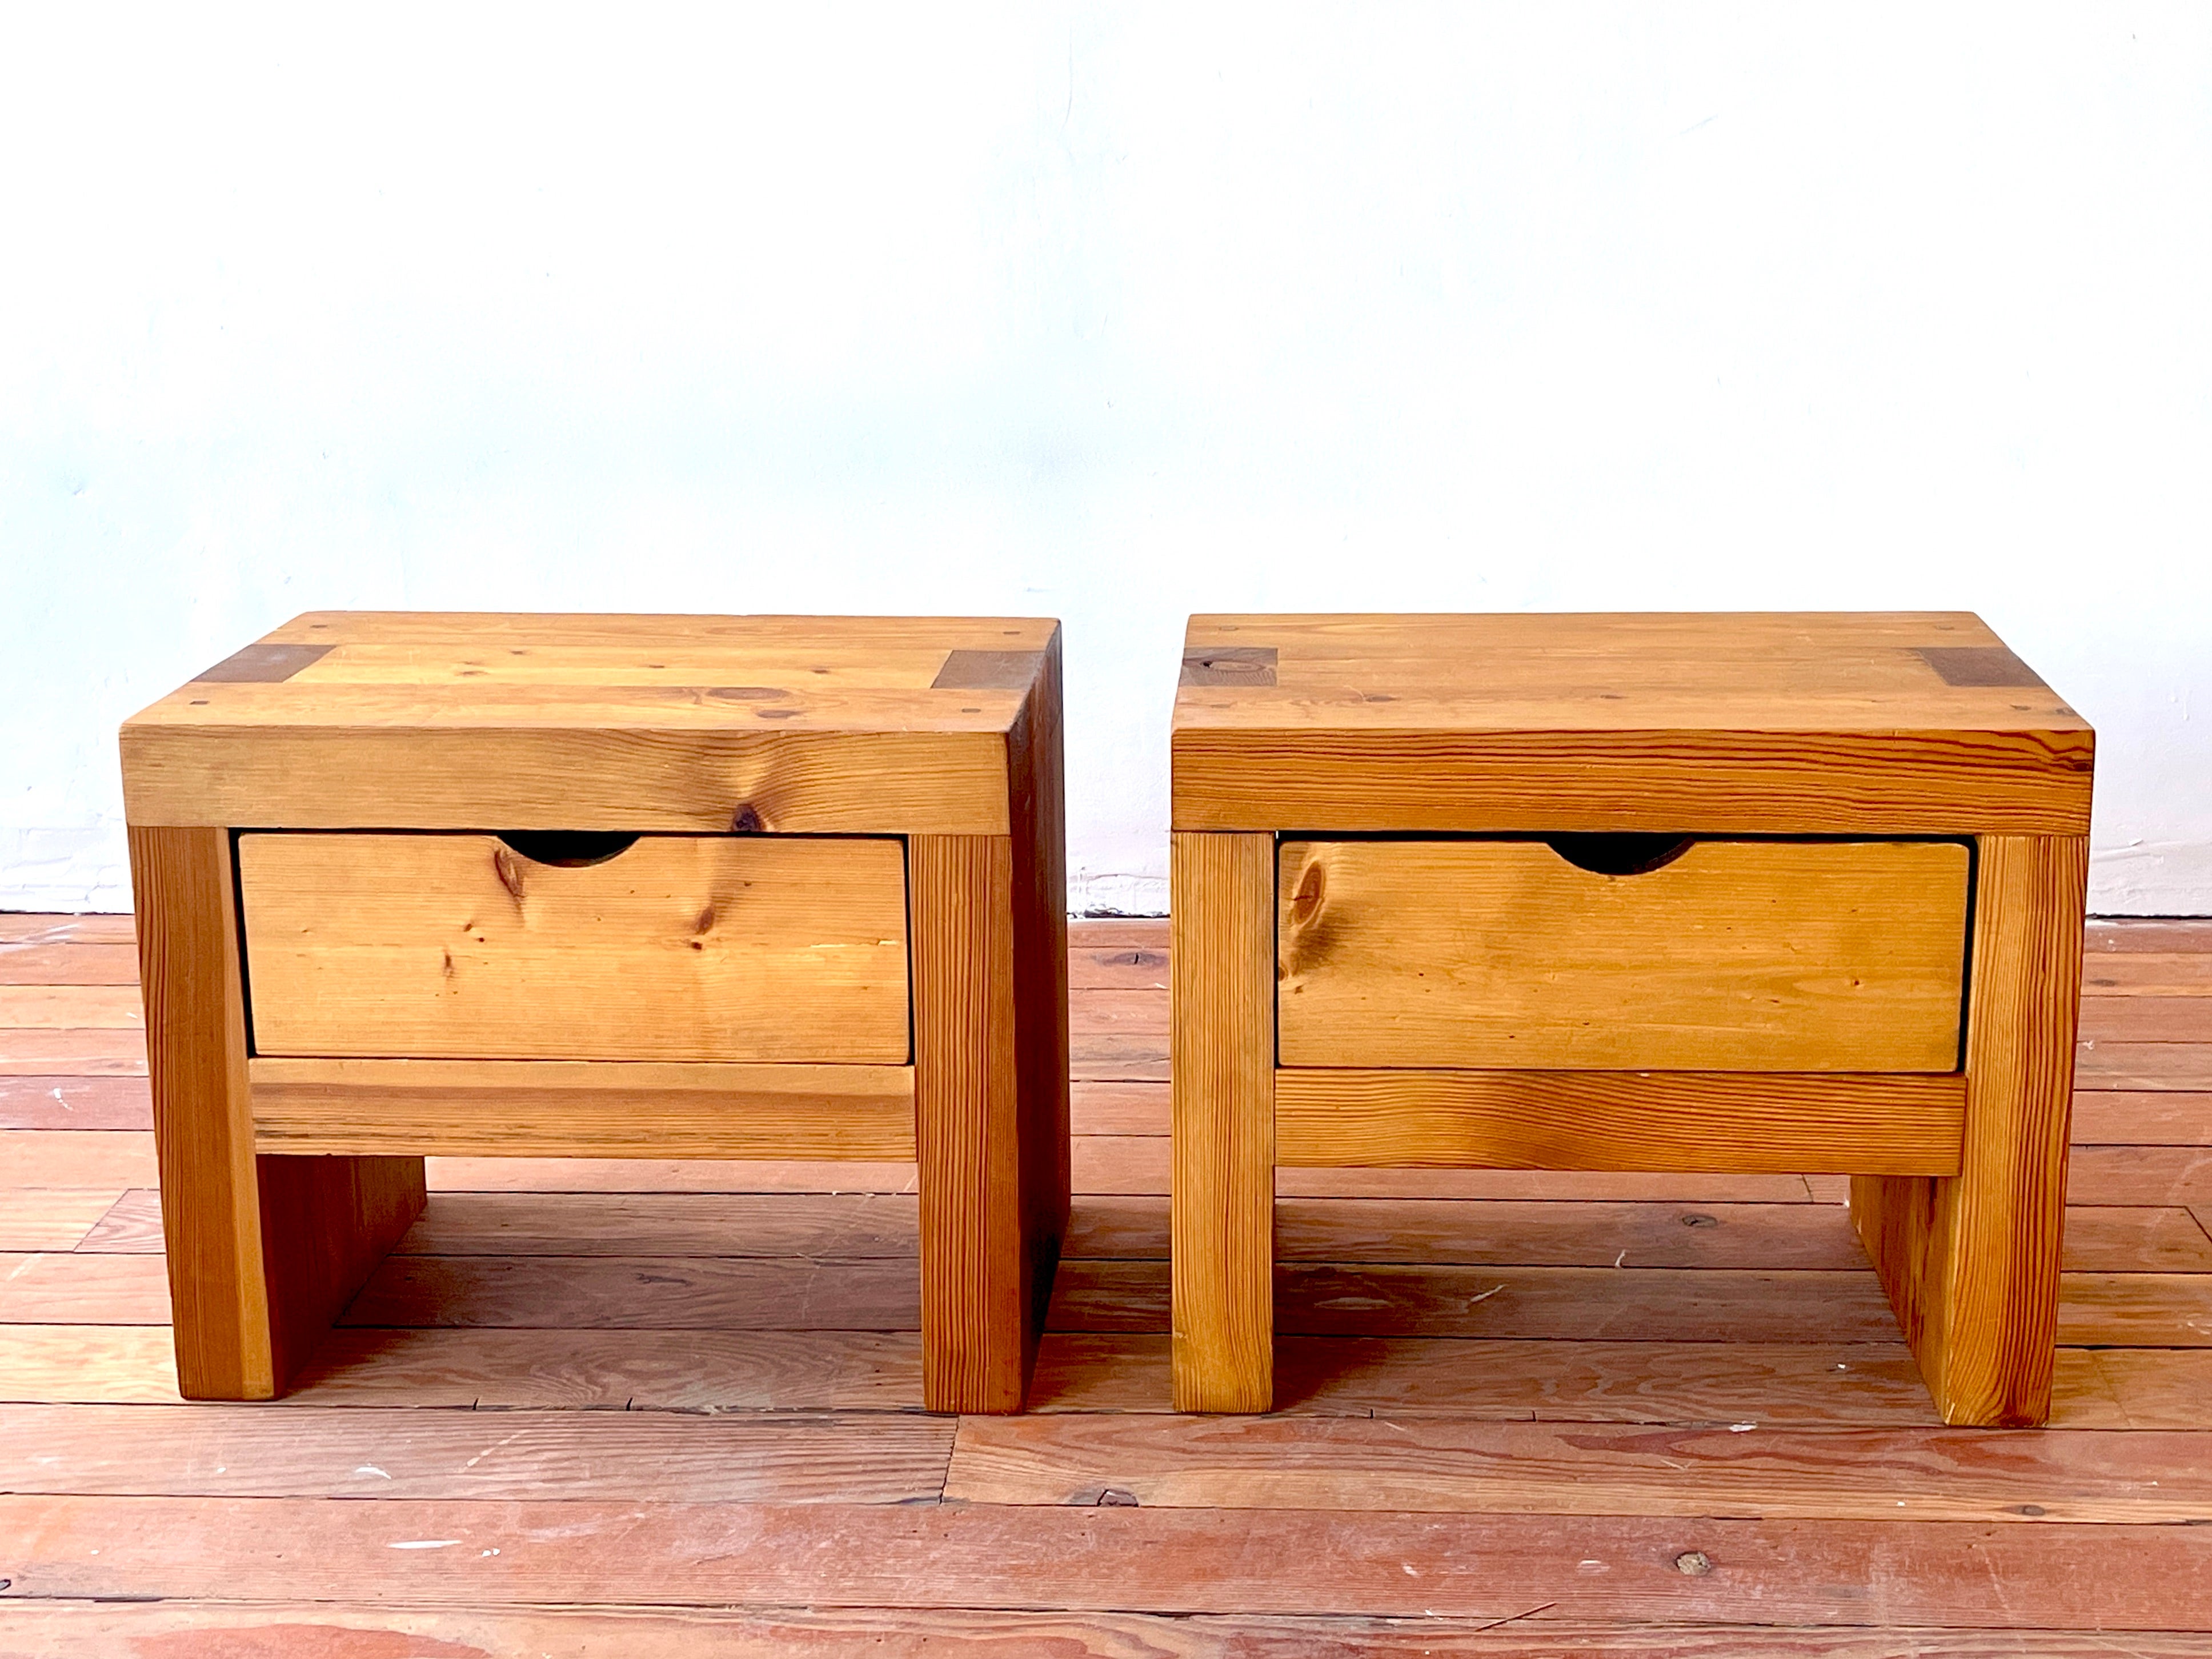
<point>1131,1561</point>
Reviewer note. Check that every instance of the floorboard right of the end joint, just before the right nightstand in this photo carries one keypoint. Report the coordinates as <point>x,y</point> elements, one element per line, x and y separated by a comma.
<point>1744,1470</point>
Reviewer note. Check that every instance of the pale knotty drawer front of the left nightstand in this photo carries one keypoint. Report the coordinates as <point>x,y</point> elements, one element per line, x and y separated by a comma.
<point>676,948</point>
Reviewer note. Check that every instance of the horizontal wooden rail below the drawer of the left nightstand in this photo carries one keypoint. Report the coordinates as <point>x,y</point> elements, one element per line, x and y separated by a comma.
<point>581,1109</point>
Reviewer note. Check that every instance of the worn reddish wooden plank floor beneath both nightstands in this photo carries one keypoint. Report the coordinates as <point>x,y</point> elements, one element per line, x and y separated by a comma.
<point>674,1408</point>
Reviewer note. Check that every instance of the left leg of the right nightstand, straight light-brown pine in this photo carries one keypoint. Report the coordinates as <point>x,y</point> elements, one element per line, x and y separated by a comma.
<point>1224,1123</point>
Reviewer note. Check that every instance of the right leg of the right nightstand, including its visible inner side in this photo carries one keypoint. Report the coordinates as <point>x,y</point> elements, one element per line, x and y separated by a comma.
<point>1972,1262</point>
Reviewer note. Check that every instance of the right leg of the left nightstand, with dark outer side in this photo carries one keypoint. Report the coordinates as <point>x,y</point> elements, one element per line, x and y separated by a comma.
<point>992,1112</point>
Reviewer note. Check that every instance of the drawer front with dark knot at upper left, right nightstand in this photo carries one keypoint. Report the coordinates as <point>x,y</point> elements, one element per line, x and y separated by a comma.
<point>1733,957</point>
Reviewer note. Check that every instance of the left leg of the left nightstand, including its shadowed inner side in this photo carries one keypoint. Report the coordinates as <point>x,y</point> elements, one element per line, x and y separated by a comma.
<point>262,1251</point>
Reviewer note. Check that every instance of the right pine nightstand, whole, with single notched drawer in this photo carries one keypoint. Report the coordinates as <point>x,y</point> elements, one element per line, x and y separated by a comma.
<point>1634,893</point>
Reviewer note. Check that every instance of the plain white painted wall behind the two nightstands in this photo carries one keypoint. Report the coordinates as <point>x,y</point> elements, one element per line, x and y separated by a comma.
<point>1107,315</point>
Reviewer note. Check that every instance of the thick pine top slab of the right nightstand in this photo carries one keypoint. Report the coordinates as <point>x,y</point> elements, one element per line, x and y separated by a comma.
<point>1691,722</point>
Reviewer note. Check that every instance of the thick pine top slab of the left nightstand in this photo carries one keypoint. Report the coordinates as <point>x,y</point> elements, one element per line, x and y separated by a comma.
<point>587,722</point>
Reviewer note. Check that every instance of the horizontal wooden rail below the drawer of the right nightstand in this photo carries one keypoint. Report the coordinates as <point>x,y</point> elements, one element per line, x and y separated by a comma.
<point>1594,1120</point>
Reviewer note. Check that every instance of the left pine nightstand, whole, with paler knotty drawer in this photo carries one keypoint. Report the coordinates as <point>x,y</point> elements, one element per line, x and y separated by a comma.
<point>601,888</point>
